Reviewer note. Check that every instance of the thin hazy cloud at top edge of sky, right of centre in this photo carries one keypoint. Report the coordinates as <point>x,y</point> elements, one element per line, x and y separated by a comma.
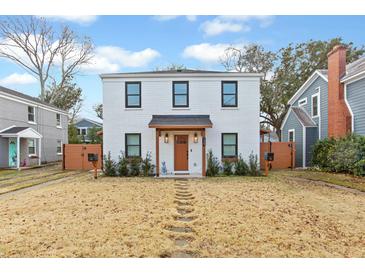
<point>234,23</point>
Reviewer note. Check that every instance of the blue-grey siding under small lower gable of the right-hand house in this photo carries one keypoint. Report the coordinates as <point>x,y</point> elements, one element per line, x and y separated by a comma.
<point>293,123</point>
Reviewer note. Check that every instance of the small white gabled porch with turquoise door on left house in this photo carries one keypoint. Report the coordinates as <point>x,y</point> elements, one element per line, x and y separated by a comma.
<point>21,147</point>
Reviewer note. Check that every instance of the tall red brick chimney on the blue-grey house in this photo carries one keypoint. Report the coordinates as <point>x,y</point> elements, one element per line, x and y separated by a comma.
<point>339,117</point>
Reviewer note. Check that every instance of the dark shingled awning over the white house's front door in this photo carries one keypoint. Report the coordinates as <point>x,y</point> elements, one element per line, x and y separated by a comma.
<point>180,121</point>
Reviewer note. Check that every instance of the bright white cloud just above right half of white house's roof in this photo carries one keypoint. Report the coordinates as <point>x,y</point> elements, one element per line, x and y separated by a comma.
<point>205,52</point>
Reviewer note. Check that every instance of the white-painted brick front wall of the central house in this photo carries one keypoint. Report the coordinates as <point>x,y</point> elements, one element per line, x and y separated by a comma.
<point>204,98</point>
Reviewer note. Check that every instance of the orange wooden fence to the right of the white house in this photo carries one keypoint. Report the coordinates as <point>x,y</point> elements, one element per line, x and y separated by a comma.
<point>284,154</point>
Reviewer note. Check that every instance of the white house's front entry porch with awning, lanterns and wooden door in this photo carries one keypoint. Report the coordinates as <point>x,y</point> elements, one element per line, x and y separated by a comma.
<point>180,144</point>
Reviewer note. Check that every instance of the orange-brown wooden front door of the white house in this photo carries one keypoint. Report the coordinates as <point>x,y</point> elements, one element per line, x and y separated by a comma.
<point>181,153</point>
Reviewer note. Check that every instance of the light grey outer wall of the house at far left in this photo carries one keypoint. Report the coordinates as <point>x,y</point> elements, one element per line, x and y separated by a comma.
<point>16,113</point>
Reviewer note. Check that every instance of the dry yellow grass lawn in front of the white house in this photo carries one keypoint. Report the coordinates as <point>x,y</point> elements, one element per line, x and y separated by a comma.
<point>232,217</point>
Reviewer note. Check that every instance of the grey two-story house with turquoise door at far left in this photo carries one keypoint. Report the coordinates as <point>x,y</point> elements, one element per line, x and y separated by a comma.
<point>31,131</point>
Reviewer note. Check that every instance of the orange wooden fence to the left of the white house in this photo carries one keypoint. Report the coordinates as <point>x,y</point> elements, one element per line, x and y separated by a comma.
<point>75,156</point>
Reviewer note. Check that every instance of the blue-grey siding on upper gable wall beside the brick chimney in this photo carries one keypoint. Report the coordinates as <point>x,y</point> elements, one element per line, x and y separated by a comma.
<point>312,89</point>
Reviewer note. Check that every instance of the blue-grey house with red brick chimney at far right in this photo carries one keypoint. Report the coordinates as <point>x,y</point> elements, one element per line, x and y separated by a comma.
<point>331,103</point>
